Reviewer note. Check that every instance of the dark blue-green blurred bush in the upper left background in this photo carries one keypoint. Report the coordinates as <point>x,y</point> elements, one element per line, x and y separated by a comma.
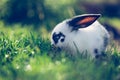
<point>26,11</point>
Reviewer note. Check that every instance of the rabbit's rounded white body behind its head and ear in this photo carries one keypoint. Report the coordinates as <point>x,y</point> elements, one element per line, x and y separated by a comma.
<point>92,39</point>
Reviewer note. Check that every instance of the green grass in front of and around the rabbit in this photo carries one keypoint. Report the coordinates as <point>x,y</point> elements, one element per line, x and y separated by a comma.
<point>26,55</point>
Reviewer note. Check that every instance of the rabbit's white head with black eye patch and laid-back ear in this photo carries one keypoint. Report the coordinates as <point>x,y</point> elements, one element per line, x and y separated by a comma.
<point>62,34</point>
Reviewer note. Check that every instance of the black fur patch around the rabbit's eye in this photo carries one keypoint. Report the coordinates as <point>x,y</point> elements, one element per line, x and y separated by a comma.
<point>58,36</point>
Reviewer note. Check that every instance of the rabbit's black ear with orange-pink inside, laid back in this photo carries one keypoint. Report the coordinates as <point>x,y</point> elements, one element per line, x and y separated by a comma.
<point>83,21</point>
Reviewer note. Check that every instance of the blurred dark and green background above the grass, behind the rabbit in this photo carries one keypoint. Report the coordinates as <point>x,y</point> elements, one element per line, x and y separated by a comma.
<point>47,13</point>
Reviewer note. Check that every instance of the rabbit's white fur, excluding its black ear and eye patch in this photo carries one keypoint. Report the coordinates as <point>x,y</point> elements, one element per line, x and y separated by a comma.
<point>85,39</point>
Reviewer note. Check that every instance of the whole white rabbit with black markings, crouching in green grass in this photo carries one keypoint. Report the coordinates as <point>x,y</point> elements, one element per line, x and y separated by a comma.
<point>81,34</point>
